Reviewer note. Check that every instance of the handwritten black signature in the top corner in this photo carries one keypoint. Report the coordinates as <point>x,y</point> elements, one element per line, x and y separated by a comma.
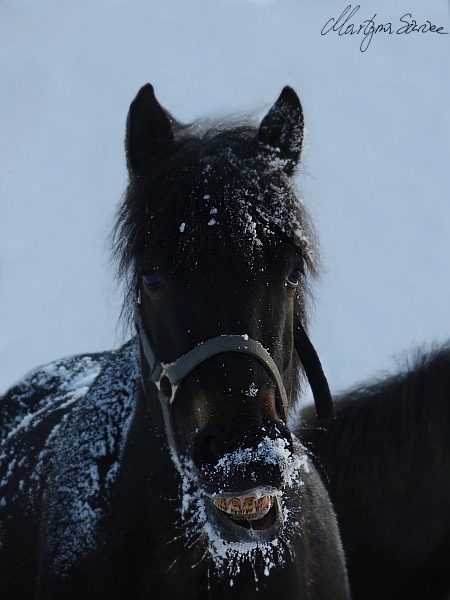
<point>368,28</point>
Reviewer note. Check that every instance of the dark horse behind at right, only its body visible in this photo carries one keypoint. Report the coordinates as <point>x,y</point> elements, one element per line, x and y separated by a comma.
<point>386,463</point>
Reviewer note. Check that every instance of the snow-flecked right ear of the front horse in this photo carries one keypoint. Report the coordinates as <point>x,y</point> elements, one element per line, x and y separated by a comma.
<point>281,130</point>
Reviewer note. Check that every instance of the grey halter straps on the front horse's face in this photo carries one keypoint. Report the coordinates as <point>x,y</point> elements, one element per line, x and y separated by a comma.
<point>167,376</point>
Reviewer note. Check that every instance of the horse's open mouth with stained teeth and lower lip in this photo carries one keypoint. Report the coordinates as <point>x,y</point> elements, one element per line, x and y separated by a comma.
<point>261,522</point>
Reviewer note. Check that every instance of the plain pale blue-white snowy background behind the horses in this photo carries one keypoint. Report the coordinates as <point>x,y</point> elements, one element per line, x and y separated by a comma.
<point>376,170</point>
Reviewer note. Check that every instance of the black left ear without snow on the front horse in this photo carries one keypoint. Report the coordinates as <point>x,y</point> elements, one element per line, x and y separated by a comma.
<point>149,130</point>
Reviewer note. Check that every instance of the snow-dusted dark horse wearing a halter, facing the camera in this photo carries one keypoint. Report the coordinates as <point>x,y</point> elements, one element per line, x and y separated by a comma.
<point>166,469</point>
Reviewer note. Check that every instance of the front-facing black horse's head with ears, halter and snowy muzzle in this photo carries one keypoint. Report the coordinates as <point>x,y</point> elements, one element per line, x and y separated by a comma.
<point>217,247</point>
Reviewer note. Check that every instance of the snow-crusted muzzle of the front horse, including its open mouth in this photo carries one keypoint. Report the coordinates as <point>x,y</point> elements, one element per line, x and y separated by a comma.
<point>243,477</point>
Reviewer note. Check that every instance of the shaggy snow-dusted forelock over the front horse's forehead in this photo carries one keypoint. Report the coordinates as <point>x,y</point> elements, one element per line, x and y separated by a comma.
<point>213,172</point>
